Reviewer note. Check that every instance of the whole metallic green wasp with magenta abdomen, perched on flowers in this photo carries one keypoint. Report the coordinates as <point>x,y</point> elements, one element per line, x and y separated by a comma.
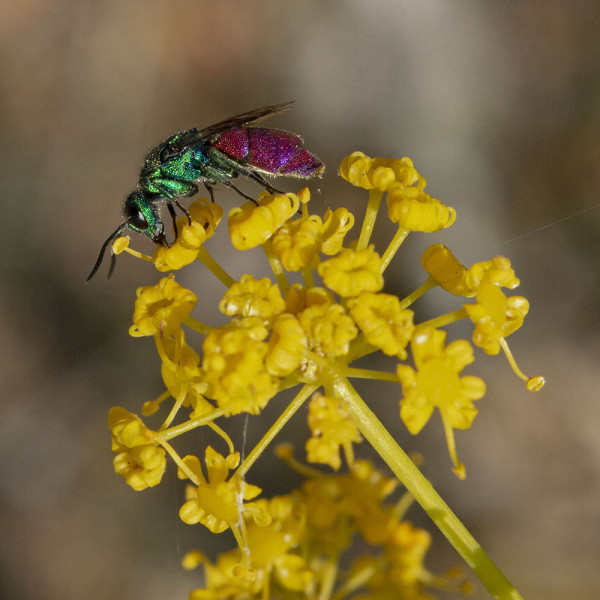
<point>216,154</point>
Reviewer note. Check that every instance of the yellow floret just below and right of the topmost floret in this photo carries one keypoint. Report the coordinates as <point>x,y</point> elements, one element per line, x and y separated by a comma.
<point>415,210</point>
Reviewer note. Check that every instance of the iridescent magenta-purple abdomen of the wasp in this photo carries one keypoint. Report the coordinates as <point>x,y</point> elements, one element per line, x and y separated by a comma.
<point>270,150</point>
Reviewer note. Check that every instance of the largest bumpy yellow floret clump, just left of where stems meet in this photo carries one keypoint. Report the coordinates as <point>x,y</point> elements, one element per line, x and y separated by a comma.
<point>234,366</point>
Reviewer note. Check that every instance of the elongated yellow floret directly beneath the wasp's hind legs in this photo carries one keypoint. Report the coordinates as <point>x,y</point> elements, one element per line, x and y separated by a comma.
<point>251,225</point>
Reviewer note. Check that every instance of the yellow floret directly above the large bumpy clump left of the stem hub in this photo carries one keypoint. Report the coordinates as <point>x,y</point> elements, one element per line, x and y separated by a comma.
<point>252,298</point>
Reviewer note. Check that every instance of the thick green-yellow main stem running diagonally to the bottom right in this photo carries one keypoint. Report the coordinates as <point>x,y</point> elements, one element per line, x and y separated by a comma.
<point>415,482</point>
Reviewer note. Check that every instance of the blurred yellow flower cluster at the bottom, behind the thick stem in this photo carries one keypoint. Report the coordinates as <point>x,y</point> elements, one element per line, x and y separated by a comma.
<point>324,518</point>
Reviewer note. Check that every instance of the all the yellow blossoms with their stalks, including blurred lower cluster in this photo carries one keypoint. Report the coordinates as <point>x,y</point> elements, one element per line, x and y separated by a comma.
<point>280,335</point>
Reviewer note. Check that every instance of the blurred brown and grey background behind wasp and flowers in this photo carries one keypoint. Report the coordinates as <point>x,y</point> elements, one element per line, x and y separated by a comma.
<point>497,104</point>
